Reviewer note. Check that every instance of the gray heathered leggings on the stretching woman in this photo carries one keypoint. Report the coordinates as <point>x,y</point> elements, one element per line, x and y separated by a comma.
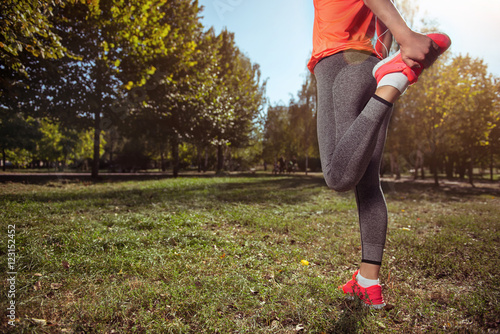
<point>352,127</point>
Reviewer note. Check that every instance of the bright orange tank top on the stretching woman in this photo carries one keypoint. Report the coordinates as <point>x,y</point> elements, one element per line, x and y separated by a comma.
<point>341,25</point>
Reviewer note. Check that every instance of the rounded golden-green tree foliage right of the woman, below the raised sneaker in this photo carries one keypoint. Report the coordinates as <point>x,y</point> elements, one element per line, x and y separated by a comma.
<point>447,116</point>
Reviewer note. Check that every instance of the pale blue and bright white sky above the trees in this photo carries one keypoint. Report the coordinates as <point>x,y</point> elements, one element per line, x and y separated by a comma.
<point>277,34</point>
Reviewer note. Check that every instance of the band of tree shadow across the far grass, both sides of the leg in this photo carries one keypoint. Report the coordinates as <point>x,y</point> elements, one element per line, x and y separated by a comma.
<point>254,189</point>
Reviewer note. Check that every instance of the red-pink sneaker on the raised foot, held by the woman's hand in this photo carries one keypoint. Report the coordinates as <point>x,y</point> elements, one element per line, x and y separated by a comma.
<point>394,63</point>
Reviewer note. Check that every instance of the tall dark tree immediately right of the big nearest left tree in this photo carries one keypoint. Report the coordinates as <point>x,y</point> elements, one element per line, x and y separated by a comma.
<point>167,105</point>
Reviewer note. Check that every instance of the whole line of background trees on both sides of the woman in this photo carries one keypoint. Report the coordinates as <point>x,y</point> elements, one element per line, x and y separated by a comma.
<point>131,85</point>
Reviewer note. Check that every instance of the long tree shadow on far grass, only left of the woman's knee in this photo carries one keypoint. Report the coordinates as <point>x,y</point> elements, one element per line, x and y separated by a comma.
<point>285,190</point>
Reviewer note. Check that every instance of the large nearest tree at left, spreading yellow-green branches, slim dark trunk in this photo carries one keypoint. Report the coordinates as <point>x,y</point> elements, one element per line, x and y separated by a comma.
<point>115,46</point>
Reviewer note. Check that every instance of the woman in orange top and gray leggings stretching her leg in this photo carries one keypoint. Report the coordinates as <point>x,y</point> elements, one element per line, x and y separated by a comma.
<point>356,92</point>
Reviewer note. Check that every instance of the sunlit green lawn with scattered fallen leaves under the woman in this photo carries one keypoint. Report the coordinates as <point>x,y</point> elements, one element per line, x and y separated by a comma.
<point>223,255</point>
